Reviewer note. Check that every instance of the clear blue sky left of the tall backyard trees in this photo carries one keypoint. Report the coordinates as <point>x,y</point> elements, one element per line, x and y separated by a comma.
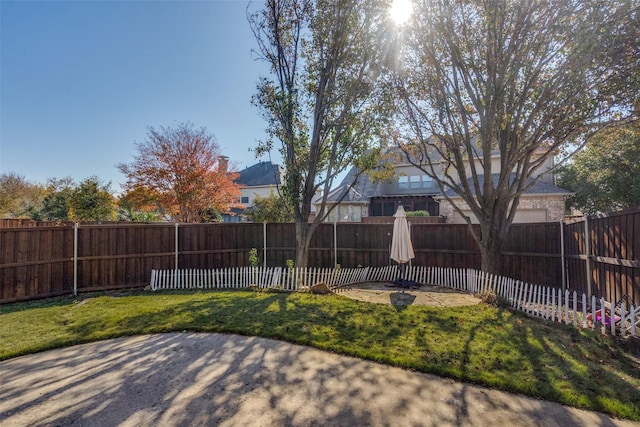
<point>82,80</point>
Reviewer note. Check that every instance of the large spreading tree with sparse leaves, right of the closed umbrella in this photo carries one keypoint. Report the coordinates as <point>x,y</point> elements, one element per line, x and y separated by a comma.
<point>520,79</point>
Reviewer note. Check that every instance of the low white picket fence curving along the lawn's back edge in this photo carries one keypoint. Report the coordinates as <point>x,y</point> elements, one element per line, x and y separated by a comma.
<point>541,301</point>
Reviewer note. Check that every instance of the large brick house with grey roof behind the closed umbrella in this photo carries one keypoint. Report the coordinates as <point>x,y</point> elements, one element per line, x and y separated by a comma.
<point>414,190</point>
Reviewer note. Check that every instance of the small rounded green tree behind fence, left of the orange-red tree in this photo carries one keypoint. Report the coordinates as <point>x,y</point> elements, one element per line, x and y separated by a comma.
<point>92,201</point>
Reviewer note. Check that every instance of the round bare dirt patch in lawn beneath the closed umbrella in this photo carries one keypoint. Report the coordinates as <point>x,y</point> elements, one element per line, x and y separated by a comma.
<point>388,293</point>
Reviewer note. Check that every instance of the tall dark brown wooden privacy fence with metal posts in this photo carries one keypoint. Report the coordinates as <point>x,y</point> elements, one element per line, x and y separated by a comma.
<point>40,262</point>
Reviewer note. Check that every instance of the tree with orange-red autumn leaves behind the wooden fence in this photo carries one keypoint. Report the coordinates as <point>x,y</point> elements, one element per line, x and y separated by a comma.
<point>180,166</point>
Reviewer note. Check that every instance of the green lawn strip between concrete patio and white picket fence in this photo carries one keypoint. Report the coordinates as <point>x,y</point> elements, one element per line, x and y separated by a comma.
<point>480,344</point>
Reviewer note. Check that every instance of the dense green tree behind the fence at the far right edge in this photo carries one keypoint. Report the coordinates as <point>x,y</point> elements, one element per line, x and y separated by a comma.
<point>605,175</point>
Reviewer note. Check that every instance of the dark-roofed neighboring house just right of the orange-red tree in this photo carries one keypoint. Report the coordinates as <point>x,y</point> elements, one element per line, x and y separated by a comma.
<point>260,179</point>
